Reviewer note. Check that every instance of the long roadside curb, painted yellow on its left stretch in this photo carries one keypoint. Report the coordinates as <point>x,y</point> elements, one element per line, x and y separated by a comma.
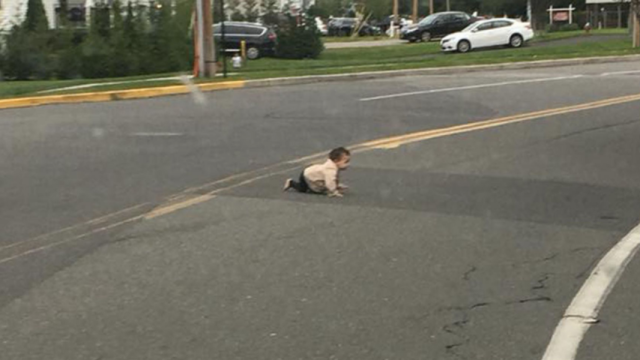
<point>180,89</point>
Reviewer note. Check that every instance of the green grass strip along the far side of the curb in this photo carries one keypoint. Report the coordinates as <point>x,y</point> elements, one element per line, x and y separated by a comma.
<point>338,61</point>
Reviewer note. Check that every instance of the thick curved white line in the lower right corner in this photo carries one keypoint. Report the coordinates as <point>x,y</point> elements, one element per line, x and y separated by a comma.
<point>584,309</point>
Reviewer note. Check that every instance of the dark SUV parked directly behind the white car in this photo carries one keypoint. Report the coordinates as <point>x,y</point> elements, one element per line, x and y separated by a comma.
<point>436,26</point>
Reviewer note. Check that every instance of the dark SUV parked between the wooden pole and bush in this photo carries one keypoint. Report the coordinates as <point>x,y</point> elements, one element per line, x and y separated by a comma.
<point>259,39</point>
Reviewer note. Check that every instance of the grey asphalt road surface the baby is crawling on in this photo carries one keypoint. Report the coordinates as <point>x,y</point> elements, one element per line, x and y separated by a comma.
<point>466,245</point>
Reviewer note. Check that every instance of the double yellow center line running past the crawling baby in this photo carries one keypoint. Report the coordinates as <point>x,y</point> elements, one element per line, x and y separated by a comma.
<point>384,143</point>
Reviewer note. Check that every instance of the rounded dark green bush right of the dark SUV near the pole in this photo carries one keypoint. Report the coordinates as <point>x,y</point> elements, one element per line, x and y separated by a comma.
<point>299,41</point>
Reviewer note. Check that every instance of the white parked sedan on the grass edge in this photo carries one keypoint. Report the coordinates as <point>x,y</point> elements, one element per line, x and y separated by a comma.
<point>488,33</point>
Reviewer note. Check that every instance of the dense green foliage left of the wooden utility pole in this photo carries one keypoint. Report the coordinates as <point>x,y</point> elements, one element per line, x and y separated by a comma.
<point>119,41</point>
